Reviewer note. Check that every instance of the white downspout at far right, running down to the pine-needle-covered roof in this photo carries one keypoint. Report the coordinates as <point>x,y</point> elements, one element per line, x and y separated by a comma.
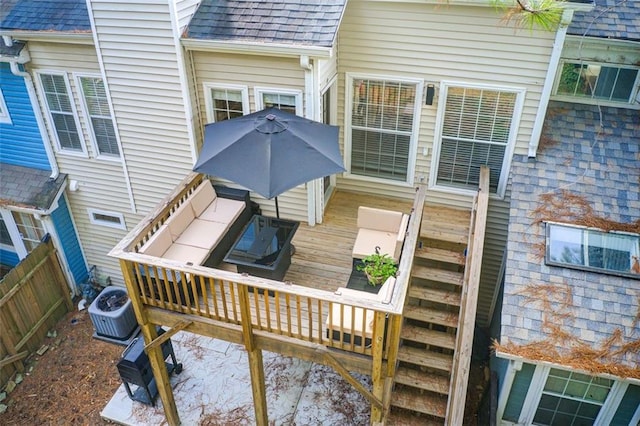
<point>554,61</point>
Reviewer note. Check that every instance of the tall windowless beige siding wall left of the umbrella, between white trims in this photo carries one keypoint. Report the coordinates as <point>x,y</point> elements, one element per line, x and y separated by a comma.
<point>139,56</point>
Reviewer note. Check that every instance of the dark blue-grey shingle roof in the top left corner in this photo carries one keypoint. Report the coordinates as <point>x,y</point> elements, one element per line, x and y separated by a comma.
<point>45,15</point>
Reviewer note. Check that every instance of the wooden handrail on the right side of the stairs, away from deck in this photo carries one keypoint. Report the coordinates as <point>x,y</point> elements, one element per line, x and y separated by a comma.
<point>468,304</point>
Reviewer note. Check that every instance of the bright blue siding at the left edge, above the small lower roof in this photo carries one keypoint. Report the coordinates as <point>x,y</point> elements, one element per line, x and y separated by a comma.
<point>21,141</point>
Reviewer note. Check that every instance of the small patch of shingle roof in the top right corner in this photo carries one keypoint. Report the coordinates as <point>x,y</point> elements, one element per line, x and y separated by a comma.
<point>618,19</point>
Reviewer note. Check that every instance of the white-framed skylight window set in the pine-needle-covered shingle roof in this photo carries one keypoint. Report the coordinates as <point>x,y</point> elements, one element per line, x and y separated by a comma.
<point>590,249</point>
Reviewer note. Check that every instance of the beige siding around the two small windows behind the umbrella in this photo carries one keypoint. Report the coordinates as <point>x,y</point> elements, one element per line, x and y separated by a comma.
<point>254,71</point>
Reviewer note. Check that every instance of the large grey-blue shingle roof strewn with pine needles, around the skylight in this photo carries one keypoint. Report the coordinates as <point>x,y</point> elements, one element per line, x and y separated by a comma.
<point>603,167</point>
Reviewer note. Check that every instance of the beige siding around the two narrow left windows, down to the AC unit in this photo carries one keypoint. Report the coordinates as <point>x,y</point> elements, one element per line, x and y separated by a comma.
<point>102,183</point>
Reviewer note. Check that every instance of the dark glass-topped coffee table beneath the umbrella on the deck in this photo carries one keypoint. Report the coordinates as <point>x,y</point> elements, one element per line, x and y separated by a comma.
<point>263,249</point>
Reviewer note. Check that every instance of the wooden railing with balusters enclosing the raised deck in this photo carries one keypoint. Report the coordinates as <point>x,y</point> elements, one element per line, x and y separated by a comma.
<point>277,308</point>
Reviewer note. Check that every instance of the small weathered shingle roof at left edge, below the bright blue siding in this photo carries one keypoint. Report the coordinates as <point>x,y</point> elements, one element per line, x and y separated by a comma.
<point>29,188</point>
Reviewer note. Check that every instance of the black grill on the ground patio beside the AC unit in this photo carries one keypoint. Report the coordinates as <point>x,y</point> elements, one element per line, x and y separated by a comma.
<point>135,369</point>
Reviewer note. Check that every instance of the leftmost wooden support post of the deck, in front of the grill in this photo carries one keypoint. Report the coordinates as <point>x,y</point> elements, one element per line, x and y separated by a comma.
<point>156,358</point>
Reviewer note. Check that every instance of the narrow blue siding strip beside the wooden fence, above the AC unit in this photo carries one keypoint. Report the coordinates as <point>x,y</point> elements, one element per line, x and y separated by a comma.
<point>68,238</point>
